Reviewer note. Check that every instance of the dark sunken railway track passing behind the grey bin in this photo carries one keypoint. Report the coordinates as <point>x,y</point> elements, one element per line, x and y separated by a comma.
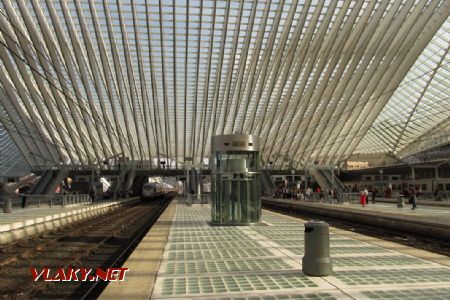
<point>411,239</point>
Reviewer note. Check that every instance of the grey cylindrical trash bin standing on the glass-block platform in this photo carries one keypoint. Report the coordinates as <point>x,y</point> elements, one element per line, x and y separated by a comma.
<point>317,260</point>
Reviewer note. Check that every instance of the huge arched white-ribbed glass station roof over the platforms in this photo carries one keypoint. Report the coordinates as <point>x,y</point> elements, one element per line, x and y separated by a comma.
<point>83,81</point>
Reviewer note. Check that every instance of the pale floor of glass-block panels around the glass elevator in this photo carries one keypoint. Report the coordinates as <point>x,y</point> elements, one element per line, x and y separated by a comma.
<point>264,262</point>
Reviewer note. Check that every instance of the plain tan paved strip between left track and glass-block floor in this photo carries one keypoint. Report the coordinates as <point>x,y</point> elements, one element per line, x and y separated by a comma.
<point>144,262</point>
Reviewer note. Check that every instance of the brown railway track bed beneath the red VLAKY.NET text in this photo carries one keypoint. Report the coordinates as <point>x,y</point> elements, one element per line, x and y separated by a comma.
<point>101,242</point>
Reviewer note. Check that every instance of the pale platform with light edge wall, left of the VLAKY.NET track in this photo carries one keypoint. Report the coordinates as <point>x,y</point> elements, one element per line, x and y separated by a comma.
<point>26,222</point>
